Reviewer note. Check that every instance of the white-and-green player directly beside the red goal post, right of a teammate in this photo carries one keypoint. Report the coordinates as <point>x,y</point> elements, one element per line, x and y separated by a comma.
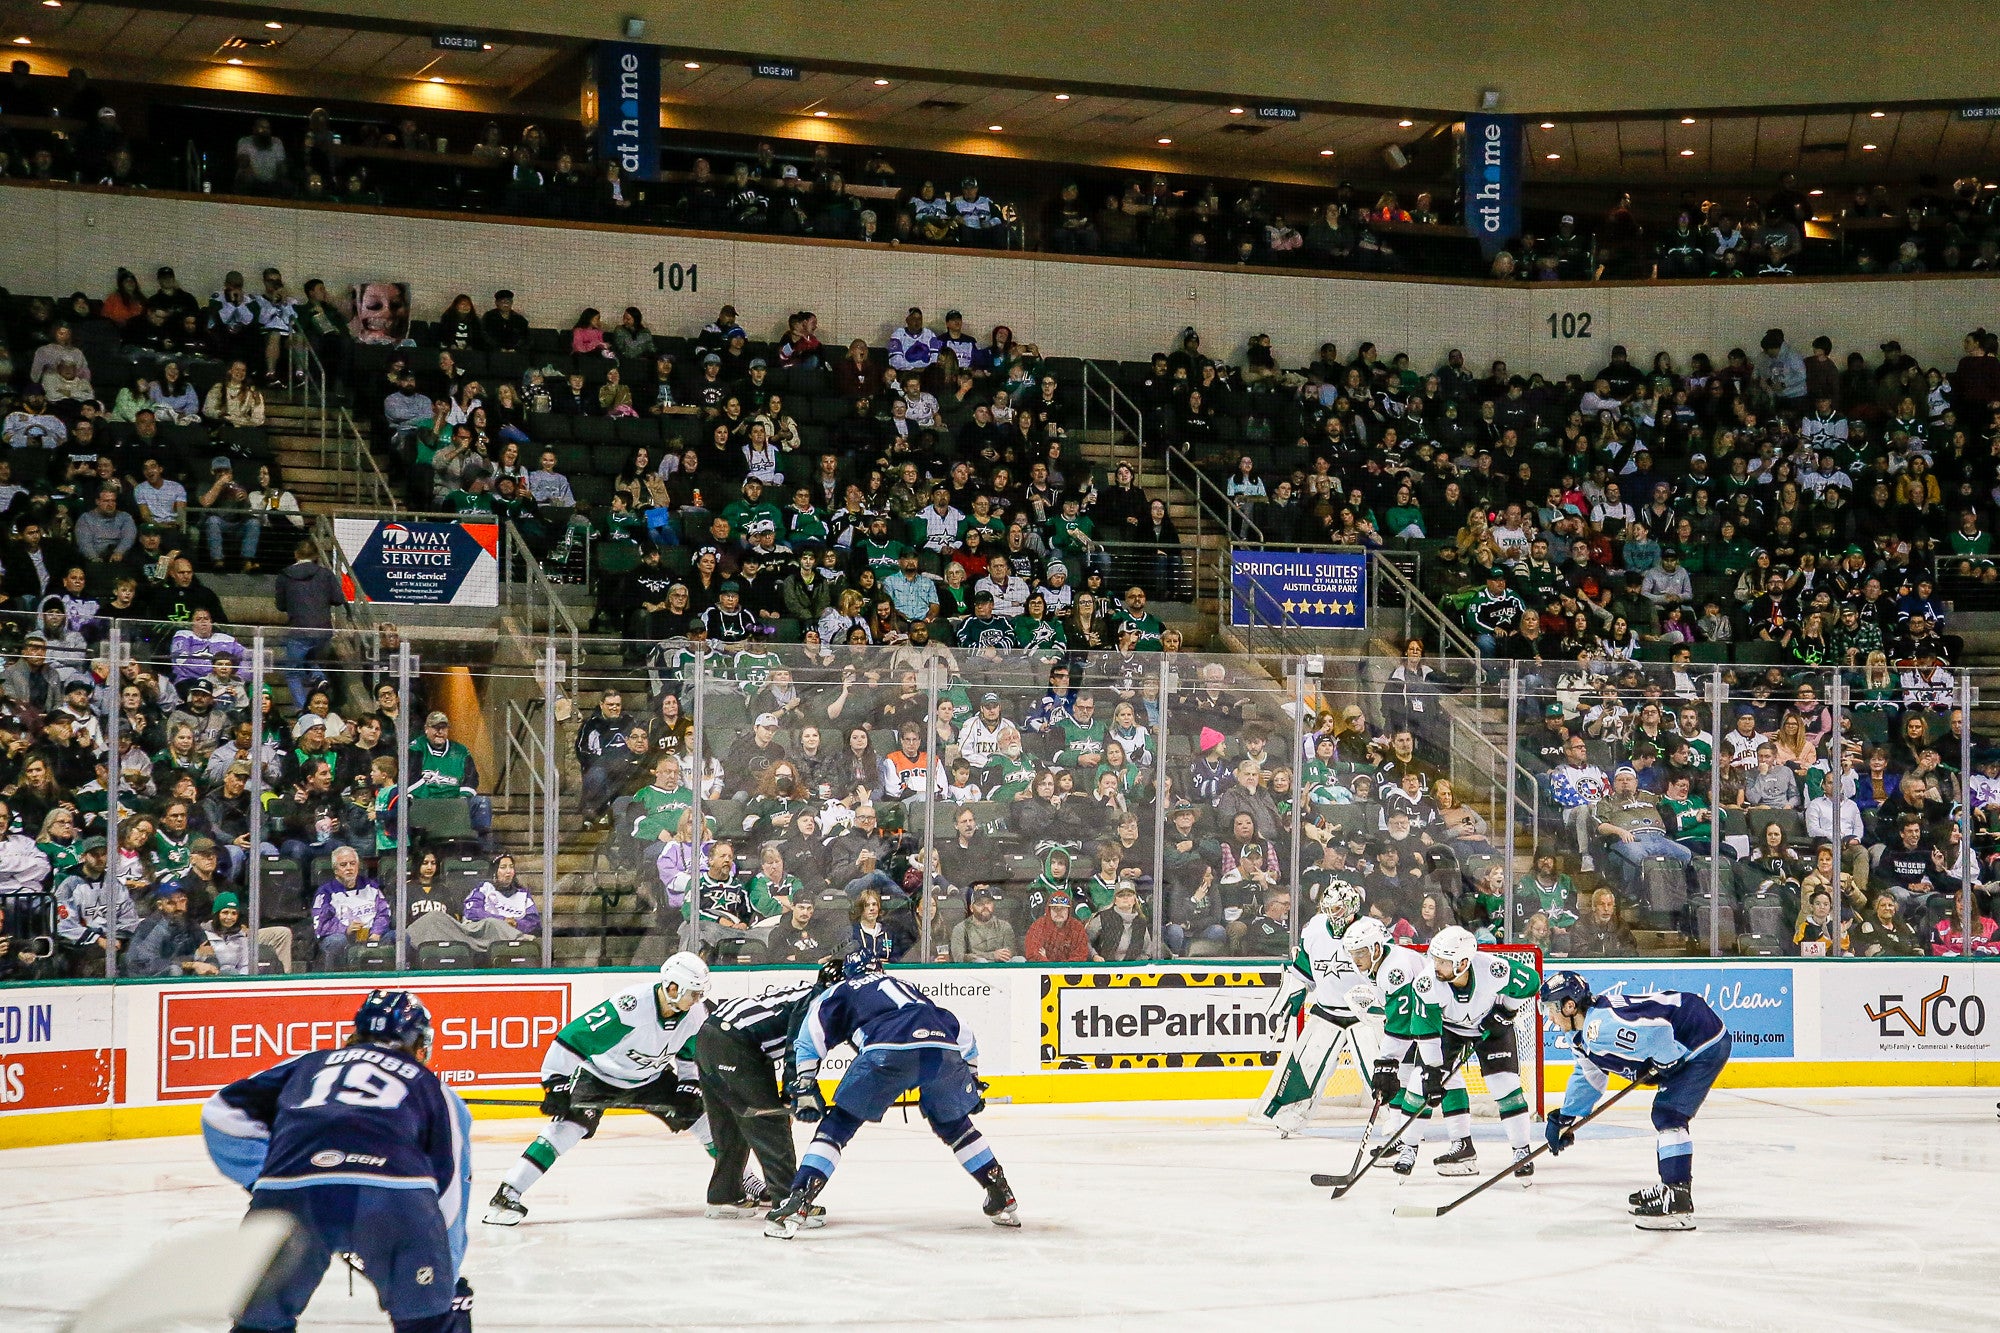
<point>1481,998</point>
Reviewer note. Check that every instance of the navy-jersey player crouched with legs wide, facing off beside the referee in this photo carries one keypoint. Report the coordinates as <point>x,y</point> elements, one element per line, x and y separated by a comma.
<point>901,1042</point>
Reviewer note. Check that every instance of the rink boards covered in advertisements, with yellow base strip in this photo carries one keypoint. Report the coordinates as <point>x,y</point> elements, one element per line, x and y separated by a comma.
<point>131,1060</point>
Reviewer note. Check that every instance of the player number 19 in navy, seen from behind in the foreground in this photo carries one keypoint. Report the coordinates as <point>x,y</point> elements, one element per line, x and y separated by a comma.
<point>371,1156</point>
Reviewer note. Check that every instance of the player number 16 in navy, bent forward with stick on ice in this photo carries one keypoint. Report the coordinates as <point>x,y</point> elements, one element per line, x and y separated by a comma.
<point>1669,1040</point>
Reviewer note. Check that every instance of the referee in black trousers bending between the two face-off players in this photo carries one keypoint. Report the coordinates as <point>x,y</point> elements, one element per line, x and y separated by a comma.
<point>745,1054</point>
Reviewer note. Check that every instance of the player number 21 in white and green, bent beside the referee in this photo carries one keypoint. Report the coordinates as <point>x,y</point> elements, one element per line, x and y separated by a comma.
<point>629,1052</point>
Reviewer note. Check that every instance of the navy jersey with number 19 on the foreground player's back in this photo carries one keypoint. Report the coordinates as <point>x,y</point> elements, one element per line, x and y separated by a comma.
<point>359,1116</point>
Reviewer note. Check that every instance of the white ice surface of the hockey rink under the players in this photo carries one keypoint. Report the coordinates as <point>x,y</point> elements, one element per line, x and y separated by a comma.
<point>1829,1210</point>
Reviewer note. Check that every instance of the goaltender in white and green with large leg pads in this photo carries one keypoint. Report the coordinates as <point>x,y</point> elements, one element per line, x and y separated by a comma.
<point>1319,982</point>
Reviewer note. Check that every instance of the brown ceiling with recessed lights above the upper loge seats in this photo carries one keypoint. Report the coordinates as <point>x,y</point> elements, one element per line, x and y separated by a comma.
<point>289,49</point>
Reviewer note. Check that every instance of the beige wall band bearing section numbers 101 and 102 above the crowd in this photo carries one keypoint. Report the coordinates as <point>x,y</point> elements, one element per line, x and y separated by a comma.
<point>65,239</point>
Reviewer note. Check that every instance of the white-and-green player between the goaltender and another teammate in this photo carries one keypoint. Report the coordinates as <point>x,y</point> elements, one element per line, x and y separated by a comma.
<point>1409,1074</point>
